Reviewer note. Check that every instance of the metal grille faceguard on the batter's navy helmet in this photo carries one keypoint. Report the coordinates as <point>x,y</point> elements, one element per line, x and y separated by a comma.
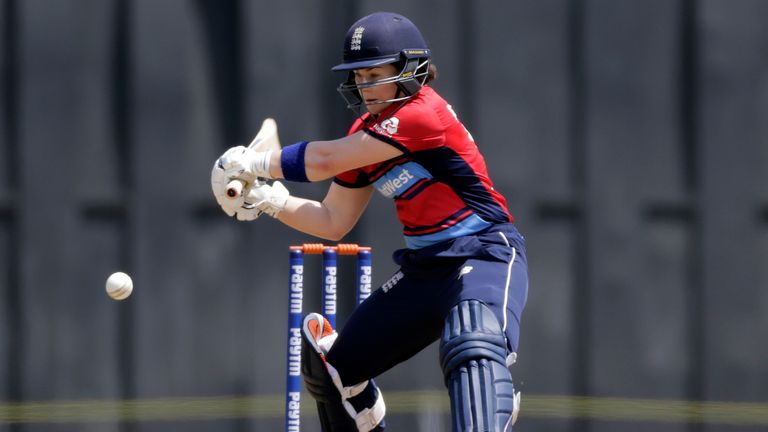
<point>409,81</point>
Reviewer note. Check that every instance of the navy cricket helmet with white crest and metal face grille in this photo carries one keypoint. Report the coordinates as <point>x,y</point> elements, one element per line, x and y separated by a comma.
<point>378,39</point>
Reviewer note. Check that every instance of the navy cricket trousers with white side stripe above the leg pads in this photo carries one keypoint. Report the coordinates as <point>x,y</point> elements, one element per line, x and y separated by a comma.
<point>408,311</point>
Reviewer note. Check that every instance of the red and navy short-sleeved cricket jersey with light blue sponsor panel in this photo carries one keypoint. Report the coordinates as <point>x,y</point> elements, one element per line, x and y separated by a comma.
<point>440,184</point>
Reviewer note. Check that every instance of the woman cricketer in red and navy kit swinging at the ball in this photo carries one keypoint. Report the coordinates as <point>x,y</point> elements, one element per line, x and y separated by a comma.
<point>463,275</point>
